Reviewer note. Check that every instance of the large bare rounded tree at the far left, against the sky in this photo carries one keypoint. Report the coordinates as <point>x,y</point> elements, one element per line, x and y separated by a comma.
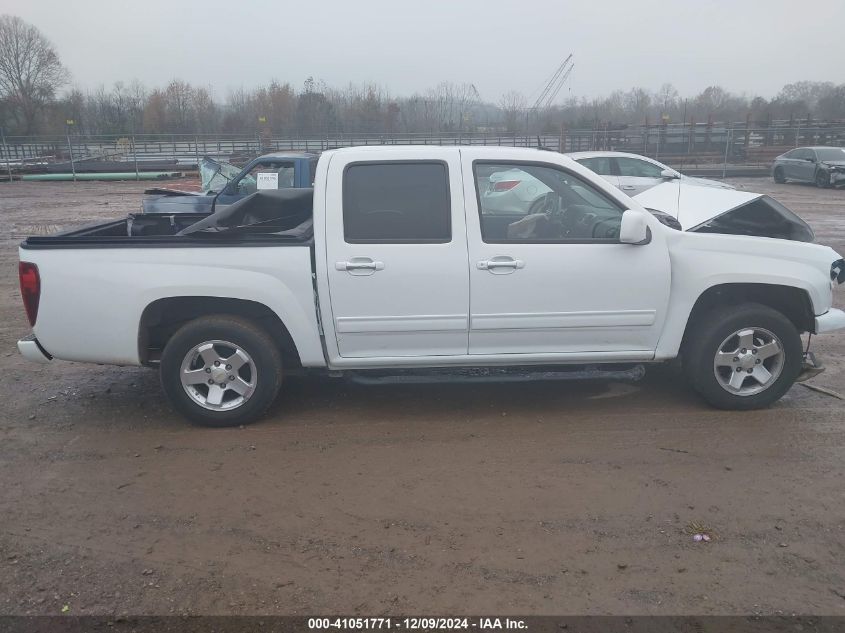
<point>30,70</point>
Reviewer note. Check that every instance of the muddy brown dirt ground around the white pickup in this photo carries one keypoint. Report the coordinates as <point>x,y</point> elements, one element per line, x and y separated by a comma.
<point>531,499</point>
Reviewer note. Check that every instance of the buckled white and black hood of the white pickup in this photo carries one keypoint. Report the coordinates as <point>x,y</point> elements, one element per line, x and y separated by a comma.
<point>729,211</point>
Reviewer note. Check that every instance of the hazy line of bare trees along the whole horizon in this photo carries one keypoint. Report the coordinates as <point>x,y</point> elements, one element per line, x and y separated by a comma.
<point>37,97</point>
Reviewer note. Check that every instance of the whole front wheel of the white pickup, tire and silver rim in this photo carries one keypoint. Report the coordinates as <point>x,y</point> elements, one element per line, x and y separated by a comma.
<point>742,357</point>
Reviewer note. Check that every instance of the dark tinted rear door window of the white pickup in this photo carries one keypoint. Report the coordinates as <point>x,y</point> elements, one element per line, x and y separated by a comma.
<point>397,202</point>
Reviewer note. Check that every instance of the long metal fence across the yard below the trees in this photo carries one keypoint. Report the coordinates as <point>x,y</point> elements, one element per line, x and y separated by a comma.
<point>698,146</point>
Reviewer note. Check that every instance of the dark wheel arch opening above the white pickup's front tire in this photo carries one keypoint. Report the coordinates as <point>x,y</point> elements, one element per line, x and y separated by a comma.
<point>793,303</point>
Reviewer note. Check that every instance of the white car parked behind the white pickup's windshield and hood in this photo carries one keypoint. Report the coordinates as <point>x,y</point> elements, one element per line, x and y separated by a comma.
<point>633,173</point>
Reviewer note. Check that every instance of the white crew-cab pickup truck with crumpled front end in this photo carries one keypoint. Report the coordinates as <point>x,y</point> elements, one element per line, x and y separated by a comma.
<point>422,262</point>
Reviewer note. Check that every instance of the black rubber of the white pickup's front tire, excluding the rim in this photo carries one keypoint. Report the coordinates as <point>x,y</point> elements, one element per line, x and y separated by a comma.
<point>711,329</point>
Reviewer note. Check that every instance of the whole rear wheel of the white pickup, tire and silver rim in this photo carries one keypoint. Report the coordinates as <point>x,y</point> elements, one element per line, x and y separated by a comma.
<point>221,371</point>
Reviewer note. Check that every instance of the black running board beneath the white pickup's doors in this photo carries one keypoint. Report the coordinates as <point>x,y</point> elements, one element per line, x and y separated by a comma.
<point>491,374</point>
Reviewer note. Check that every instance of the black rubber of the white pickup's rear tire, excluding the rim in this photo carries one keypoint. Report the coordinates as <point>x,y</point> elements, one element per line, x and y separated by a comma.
<point>261,349</point>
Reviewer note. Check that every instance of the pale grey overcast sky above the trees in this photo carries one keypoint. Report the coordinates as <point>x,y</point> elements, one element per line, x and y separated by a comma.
<point>751,46</point>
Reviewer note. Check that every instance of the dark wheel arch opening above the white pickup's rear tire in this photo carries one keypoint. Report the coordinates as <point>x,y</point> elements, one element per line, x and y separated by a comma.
<point>162,318</point>
